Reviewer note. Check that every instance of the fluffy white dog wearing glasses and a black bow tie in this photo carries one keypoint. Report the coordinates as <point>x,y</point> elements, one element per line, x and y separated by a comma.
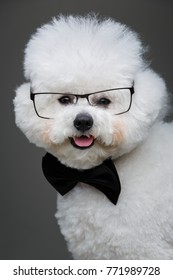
<point>94,99</point>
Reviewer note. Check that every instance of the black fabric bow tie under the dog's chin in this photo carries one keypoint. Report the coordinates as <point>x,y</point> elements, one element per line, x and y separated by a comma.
<point>103,177</point>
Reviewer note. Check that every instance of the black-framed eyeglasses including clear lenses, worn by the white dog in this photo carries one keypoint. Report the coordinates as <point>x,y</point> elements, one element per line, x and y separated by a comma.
<point>118,100</point>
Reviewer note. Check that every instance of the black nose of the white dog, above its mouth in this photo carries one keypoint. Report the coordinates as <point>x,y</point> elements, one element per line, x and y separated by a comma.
<point>83,122</point>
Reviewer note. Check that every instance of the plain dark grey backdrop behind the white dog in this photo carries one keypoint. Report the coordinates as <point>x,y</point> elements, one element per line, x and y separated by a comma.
<point>28,203</point>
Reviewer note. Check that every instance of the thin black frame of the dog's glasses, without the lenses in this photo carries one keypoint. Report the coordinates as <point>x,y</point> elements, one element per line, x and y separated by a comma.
<point>32,97</point>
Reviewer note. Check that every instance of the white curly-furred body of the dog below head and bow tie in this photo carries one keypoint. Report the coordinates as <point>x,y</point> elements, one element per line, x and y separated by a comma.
<point>140,226</point>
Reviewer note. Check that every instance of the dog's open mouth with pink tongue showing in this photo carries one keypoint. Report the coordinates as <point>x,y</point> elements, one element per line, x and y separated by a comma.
<point>82,142</point>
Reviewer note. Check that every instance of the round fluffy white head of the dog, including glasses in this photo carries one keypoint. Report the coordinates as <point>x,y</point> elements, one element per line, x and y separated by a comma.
<point>89,93</point>
